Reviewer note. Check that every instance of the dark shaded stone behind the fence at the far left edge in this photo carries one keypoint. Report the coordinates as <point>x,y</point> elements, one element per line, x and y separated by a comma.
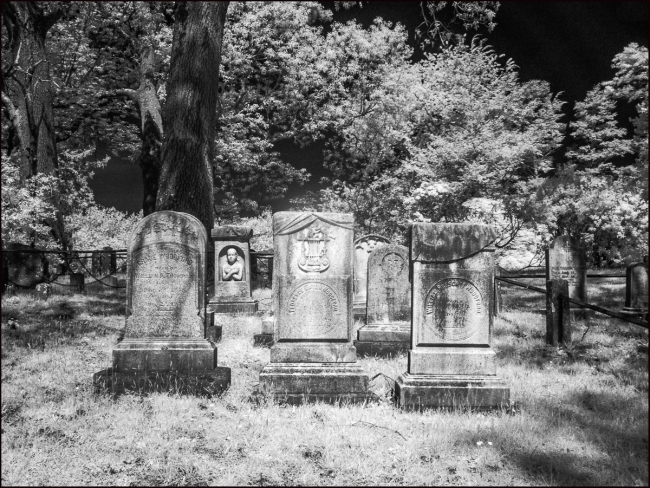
<point>23,266</point>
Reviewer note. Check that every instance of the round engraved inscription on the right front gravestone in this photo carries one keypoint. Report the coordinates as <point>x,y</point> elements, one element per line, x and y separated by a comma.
<point>453,309</point>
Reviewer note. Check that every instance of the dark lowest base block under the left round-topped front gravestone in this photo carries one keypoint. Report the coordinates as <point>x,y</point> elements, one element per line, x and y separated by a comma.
<point>195,382</point>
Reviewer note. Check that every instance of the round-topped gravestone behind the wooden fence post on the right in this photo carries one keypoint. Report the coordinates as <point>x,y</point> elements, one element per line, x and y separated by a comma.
<point>566,260</point>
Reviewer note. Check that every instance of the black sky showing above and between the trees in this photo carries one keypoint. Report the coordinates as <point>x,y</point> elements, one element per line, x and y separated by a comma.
<point>568,44</point>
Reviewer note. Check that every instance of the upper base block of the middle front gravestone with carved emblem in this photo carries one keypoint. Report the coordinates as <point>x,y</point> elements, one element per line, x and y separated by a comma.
<point>313,352</point>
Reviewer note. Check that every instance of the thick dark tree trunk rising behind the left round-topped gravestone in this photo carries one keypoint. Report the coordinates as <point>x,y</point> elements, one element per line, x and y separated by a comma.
<point>190,115</point>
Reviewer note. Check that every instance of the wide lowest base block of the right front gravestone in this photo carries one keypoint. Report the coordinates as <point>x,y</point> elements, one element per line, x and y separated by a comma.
<point>418,391</point>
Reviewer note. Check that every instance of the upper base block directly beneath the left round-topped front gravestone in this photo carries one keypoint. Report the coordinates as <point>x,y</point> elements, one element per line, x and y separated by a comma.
<point>164,354</point>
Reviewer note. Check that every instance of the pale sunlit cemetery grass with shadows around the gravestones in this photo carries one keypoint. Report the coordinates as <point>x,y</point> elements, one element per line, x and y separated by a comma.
<point>580,414</point>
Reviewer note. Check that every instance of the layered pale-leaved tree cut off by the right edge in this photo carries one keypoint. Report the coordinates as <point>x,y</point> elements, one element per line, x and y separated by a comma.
<point>601,195</point>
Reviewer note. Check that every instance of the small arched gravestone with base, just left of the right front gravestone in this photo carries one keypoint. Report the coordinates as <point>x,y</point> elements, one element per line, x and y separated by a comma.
<point>388,316</point>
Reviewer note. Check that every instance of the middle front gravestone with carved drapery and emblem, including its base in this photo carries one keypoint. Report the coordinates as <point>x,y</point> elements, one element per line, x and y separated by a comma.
<point>313,358</point>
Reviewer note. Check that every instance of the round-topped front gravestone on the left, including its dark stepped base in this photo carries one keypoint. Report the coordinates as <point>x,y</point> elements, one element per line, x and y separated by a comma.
<point>164,346</point>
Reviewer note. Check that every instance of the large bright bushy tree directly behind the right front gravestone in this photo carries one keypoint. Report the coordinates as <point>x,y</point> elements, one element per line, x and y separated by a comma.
<point>453,138</point>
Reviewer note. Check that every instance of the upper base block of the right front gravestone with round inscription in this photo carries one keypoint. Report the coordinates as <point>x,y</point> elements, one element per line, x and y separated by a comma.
<point>452,361</point>
